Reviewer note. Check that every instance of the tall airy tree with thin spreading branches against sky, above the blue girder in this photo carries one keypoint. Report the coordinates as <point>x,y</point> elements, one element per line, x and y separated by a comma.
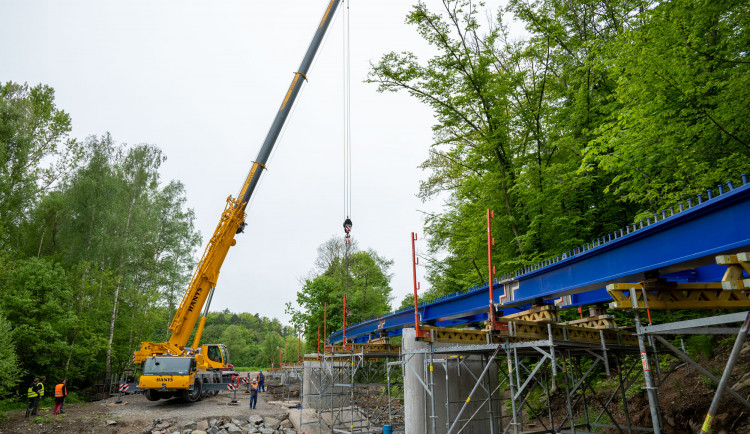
<point>512,121</point>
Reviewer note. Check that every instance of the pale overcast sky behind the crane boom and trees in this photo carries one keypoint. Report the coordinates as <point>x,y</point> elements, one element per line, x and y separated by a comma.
<point>202,80</point>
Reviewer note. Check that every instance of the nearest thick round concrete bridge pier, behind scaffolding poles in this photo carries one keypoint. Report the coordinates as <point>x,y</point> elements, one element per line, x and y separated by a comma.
<point>438,379</point>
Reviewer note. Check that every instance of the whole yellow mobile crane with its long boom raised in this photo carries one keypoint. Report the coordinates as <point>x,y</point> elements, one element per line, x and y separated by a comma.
<point>173,368</point>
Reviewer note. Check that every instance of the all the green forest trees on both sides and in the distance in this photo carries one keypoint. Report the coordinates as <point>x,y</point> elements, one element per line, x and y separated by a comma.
<point>607,112</point>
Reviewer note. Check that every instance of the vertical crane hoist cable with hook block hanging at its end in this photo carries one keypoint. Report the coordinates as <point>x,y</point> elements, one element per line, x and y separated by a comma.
<point>347,125</point>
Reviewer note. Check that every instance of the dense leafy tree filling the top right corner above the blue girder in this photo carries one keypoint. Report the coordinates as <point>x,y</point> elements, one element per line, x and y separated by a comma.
<point>677,122</point>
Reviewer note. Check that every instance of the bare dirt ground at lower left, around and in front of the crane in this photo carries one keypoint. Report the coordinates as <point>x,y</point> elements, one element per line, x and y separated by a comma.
<point>136,414</point>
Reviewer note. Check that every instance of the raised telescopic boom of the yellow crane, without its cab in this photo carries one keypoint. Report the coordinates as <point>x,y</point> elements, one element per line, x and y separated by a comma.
<point>232,219</point>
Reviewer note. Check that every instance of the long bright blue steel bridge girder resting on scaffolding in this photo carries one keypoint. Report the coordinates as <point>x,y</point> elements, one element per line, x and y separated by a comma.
<point>680,247</point>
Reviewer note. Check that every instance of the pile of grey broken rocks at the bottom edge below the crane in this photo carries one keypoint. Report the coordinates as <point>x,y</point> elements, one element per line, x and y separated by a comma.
<point>253,424</point>
